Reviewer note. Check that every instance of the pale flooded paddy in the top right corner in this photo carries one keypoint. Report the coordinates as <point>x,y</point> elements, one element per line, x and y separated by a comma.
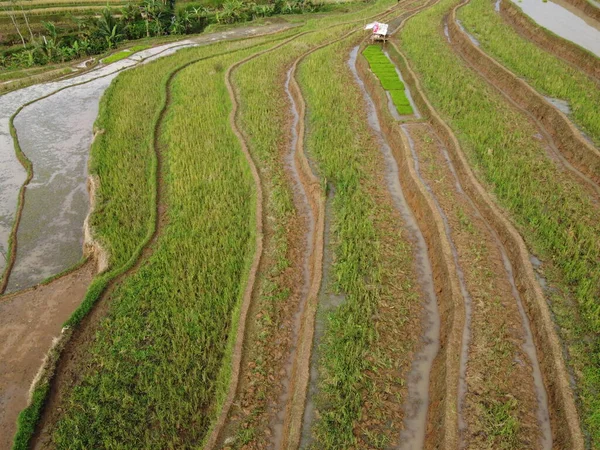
<point>571,25</point>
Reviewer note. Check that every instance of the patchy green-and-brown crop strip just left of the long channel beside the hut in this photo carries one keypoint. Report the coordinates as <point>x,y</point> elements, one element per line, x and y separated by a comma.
<point>358,361</point>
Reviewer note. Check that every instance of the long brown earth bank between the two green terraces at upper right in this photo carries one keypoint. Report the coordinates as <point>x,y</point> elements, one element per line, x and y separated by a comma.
<point>555,125</point>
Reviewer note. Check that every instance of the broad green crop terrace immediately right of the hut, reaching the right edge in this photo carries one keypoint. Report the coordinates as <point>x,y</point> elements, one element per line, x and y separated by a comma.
<point>558,220</point>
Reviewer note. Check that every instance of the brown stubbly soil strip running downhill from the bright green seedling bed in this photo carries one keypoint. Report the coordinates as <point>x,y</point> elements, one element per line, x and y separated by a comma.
<point>498,368</point>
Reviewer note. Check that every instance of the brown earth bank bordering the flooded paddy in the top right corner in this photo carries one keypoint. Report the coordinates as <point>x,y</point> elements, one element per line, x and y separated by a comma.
<point>569,52</point>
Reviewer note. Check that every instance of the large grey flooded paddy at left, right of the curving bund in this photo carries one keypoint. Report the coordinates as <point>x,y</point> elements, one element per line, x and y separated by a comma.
<point>57,139</point>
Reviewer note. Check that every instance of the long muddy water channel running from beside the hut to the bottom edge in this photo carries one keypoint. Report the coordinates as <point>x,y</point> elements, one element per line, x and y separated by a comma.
<point>416,405</point>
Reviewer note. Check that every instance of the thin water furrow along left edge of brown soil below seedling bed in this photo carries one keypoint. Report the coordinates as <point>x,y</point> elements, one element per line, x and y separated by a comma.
<point>466,337</point>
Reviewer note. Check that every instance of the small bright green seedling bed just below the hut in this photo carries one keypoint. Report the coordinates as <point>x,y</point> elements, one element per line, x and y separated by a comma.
<point>386,72</point>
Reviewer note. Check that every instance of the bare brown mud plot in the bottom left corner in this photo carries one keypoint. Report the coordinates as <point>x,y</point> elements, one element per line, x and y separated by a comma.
<point>29,322</point>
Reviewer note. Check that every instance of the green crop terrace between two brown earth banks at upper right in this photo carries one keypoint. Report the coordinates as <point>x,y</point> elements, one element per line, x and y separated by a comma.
<point>542,70</point>
